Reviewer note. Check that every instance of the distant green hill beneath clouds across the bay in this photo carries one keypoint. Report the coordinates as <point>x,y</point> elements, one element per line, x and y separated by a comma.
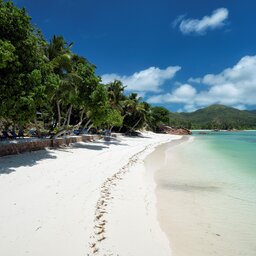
<point>215,117</point>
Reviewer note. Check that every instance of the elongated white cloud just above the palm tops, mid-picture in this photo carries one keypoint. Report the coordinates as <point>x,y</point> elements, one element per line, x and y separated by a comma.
<point>150,79</point>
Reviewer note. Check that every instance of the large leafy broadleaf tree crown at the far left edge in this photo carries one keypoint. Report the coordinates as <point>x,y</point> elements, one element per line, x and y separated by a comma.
<point>24,72</point>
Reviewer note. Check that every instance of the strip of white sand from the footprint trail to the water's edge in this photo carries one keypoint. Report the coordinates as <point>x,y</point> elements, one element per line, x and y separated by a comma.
<point>130,196</point>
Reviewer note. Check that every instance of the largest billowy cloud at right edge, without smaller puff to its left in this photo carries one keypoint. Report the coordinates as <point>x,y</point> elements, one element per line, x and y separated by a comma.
<point>236,85</point>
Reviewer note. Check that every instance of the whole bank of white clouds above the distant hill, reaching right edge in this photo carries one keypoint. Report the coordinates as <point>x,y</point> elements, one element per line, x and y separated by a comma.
<point>234,86</point>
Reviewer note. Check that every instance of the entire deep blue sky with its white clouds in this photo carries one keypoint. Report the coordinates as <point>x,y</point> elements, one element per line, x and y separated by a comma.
<point>182,54</point>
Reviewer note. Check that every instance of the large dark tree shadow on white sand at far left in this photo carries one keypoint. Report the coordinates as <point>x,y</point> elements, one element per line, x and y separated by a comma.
<point>9,164</point>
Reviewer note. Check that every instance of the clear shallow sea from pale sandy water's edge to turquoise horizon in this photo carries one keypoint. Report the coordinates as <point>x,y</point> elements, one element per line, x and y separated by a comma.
<point>207,194</point>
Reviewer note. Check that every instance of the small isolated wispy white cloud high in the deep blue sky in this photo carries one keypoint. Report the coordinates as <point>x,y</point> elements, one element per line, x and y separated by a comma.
<point>200,26</point>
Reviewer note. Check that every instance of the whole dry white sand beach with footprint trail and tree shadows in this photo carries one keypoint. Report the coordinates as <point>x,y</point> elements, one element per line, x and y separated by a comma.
<point>54,202</point>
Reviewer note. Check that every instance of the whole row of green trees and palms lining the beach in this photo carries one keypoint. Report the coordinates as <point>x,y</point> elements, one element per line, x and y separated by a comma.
<point>45,86</point>
